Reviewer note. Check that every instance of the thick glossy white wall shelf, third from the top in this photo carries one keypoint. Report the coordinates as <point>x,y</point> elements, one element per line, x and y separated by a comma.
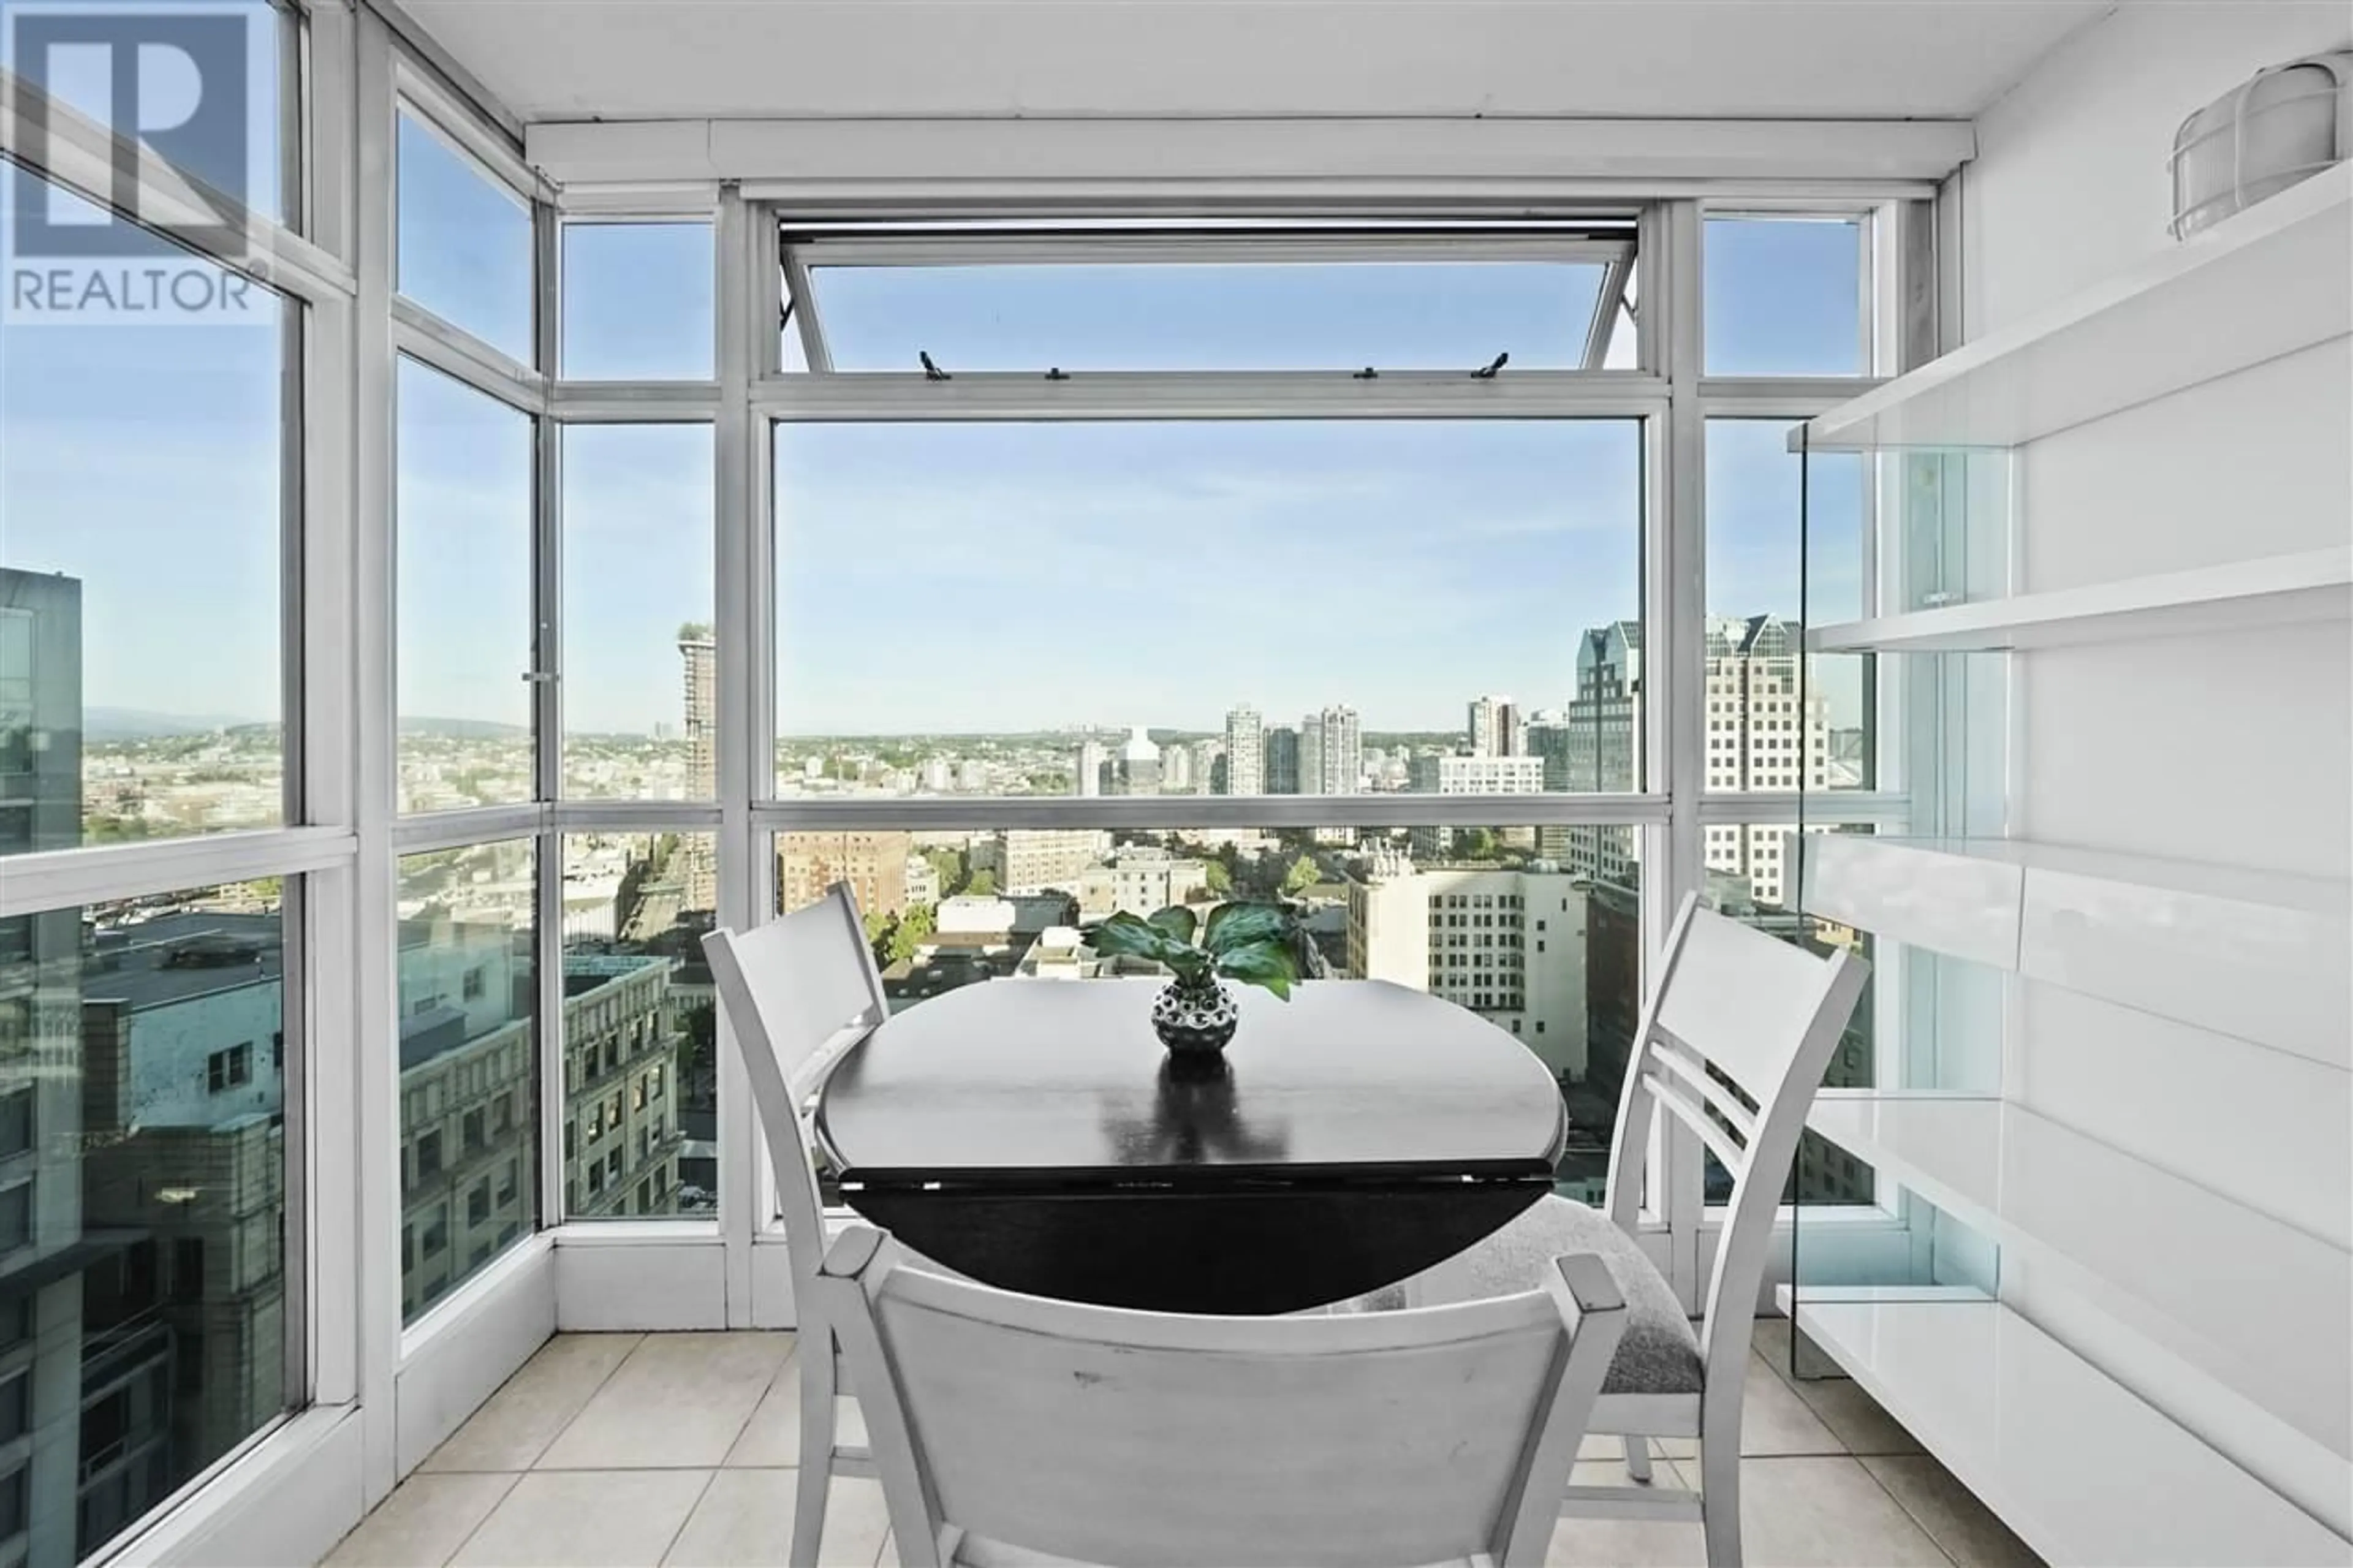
<point>2251,955</point>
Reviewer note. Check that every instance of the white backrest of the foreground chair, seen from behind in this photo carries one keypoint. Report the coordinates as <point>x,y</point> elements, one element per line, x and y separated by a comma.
<point>1145,1440</point>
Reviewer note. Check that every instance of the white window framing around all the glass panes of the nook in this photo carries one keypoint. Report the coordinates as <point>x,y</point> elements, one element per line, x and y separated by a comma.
<point>342,839</point>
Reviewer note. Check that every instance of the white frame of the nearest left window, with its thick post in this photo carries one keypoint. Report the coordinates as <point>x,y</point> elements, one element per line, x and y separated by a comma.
<point>316,846</point>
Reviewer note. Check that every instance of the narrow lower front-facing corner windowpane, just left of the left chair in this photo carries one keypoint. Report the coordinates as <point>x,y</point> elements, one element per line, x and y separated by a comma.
<point>641,1028</point>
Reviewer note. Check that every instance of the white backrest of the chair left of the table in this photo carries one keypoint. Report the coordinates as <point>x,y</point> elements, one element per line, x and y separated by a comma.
<point>796,992</point>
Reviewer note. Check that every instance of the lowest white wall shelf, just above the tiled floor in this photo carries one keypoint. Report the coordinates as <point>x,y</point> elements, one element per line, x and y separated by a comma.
<point>2013,1414</point>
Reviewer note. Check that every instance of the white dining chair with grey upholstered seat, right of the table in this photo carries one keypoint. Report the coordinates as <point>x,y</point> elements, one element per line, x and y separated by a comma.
<point>1733,1044</point>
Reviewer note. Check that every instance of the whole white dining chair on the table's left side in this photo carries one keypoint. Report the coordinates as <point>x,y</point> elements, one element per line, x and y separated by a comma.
<point>796,995</point>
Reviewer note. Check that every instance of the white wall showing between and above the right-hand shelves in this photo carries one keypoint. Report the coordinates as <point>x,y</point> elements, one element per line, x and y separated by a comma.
<point>2232,750</point>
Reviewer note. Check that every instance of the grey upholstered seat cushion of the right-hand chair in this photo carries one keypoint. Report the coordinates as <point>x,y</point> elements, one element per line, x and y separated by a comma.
<point>1658,1355</point>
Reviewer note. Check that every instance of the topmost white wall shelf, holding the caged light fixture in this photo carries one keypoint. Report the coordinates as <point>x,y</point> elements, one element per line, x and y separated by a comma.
<point>2253,288</point>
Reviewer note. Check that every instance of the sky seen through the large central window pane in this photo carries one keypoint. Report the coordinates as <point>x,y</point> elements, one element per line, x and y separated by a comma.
<point>1159,573</point>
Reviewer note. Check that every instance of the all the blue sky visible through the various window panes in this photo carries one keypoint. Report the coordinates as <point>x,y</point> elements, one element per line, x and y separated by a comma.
<point>949,578</point>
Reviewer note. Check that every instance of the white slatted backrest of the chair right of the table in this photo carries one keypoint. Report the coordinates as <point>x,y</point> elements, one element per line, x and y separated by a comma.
<point>1733,1044</point>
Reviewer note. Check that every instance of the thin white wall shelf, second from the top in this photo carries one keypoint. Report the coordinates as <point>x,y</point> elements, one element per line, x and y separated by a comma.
<point>2237,597</point>
